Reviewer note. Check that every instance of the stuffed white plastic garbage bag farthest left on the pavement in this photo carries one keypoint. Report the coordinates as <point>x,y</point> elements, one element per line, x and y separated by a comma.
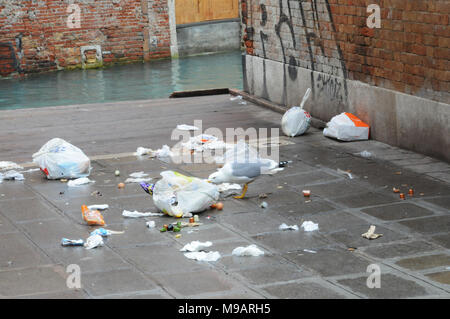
<point>60,159</point>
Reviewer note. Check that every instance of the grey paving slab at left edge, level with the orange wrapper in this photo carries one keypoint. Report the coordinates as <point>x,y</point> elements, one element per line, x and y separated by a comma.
<point>27,210</point>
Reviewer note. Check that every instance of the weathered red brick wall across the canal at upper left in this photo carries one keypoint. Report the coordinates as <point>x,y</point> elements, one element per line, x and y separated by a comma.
<point>37,32</point>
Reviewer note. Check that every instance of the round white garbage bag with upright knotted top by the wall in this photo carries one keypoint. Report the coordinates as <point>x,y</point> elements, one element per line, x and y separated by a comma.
<point>296,121</point>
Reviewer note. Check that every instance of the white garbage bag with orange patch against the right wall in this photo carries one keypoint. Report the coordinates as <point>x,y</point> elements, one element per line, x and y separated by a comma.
<point>347,127</point>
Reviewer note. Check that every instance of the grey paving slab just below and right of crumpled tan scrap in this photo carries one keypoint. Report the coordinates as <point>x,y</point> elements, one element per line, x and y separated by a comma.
<point>391,250</point>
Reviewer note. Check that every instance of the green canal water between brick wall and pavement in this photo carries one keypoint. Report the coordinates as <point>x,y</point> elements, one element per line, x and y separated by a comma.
<point>138,81</point>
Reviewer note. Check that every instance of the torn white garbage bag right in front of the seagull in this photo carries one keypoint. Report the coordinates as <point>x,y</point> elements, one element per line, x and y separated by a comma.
<point>178,195</point>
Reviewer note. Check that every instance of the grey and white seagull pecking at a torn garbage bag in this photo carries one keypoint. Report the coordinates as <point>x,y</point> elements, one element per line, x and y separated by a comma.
<point>245,173</point>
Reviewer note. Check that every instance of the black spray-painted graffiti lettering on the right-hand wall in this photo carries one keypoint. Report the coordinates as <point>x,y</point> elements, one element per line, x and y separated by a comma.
<point>321,84</point>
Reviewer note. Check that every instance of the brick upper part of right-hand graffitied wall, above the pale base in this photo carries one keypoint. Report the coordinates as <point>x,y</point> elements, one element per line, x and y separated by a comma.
<point>410,53</point>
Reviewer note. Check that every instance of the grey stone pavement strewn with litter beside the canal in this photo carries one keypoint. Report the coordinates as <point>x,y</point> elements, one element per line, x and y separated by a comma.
<point>413,253</point>
